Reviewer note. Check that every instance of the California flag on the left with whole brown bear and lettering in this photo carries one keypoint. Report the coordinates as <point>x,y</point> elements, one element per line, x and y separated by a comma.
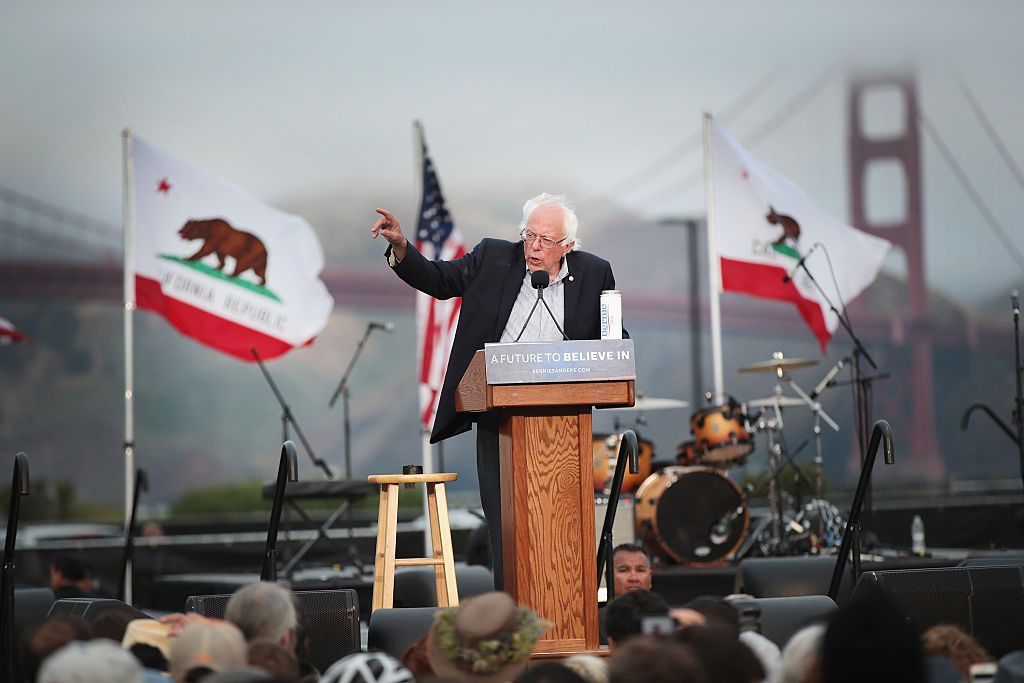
<point>222,267</point>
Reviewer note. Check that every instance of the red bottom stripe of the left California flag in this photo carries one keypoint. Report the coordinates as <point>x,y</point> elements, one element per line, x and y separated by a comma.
<point>206,328</point>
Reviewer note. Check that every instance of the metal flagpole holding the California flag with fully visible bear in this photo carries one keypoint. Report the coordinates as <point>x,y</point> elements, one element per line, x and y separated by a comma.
<point>130,287</point>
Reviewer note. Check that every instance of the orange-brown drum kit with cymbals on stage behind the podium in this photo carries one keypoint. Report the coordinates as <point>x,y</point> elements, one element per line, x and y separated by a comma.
<point>694,513</point>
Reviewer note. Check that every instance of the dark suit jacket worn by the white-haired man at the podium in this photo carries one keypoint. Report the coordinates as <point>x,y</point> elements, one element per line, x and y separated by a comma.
<point>489,280</point>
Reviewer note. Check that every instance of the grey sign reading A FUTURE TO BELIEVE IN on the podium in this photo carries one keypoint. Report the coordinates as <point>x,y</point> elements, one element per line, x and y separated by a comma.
<point>578,361</point>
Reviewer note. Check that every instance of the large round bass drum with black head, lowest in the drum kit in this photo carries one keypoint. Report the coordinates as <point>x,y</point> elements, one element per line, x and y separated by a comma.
<point>694,516</point>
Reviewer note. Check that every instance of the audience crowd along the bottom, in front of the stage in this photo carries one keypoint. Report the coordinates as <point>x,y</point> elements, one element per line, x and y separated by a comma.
<point>489,639</point>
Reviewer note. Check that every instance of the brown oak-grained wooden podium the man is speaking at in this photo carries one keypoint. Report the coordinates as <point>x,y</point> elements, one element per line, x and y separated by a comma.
<point>547,475</point>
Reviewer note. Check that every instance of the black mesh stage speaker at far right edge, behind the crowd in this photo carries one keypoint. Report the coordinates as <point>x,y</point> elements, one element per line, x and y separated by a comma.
<point>986,602</point>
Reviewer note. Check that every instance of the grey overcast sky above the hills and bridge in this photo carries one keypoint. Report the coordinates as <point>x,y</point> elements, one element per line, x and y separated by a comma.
<point>301,100</point>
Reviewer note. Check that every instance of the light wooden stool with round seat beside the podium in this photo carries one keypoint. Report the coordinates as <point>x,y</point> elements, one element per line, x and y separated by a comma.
<point>441,538</point>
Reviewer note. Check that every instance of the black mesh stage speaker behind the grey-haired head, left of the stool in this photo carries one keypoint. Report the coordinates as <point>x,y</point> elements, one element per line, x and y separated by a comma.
<point>330,620</point>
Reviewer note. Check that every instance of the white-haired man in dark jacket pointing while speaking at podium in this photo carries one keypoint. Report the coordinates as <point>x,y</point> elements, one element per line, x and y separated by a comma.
<point>497,289</point>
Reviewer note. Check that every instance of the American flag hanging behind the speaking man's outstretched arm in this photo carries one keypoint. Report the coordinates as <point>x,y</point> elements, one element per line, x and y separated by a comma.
<point>436,321</point>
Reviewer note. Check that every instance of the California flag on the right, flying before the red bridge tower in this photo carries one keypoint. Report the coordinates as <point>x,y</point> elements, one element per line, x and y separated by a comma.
<point>764,225</point>
